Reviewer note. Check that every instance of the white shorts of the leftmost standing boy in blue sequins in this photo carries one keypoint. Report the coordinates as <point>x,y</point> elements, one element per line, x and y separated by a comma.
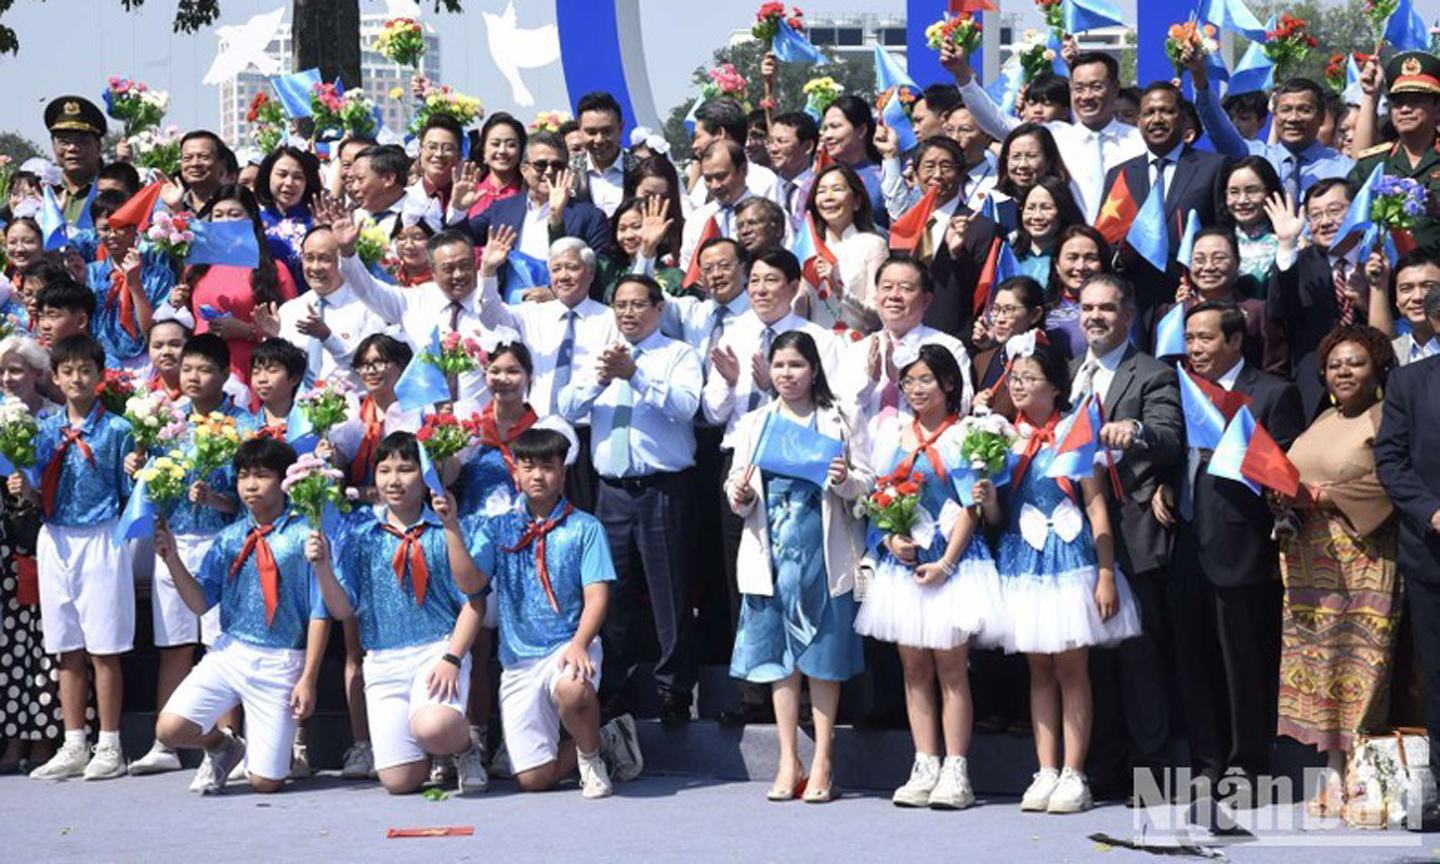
<point>87,591</point>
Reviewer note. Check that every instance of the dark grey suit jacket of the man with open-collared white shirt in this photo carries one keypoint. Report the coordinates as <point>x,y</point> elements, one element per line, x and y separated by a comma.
<point>1143,390</point>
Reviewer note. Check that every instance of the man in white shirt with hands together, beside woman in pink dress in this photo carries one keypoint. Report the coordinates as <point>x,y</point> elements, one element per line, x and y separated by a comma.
<point>329,322</point>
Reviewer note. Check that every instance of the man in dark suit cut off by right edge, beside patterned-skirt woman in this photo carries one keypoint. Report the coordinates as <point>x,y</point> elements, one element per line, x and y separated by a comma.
<point>1406,459</point>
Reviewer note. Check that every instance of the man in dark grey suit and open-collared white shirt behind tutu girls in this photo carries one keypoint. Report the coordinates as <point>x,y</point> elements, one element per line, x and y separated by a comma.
<point>1140,401</point>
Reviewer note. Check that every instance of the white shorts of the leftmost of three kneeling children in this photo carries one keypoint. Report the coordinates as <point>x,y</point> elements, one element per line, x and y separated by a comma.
<point>258,679</point>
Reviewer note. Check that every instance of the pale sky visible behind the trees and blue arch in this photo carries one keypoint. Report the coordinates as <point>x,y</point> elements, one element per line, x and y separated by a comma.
<point>74,47</point>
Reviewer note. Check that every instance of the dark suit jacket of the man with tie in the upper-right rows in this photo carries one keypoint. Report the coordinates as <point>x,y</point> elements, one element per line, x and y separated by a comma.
<point>1194,186</point>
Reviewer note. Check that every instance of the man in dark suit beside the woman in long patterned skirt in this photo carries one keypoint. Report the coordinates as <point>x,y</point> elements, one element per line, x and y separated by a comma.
<point>1223,594</point>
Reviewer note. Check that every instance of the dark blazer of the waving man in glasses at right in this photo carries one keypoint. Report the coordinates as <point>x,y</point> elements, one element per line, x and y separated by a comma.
<point>1302,302</point>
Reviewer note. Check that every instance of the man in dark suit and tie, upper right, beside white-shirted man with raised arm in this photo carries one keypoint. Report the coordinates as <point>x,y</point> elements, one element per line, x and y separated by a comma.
<point>1190,181</point>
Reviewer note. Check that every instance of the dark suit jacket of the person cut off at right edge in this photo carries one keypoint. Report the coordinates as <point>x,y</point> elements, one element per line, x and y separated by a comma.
<point>1408,466</point>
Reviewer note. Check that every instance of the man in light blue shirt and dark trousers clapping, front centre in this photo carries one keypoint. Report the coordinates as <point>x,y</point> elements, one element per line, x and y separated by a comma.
<point>642,395</point>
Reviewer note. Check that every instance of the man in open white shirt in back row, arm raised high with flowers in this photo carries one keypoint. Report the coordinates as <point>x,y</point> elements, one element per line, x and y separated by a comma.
<point>1092,146</point>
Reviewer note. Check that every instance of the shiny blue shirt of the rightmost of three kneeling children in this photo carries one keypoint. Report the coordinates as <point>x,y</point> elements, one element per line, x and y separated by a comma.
<point>577,557</point>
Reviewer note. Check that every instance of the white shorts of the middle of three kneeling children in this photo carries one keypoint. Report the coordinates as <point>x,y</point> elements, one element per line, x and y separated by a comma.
<point>395,690</point>
